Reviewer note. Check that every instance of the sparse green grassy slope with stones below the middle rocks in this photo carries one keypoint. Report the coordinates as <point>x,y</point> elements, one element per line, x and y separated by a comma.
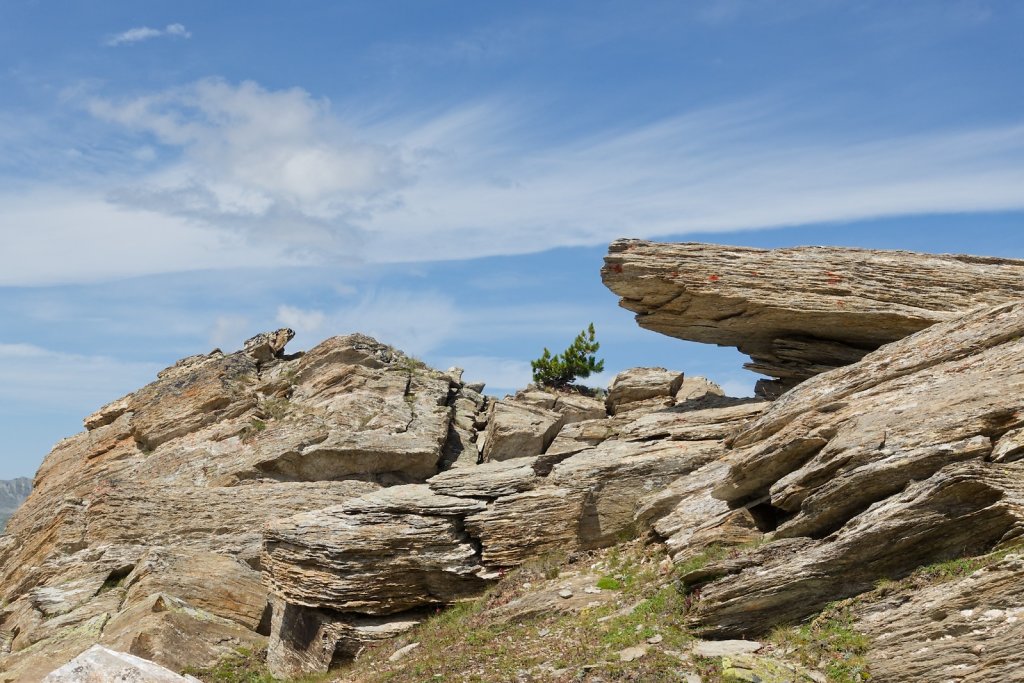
<point>474,643</point>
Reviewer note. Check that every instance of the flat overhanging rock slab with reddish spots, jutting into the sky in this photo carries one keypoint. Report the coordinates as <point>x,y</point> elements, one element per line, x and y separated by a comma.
<point>800,312</point>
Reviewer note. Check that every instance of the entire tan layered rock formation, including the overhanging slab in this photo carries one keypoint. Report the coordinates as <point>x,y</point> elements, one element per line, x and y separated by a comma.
<point>342,496</point>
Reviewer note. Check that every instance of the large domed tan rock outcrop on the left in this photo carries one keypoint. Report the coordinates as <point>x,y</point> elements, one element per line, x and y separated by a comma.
<point>175,484</point>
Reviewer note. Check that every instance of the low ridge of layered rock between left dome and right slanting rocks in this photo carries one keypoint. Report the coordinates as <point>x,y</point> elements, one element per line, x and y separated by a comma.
<point>397,553</point>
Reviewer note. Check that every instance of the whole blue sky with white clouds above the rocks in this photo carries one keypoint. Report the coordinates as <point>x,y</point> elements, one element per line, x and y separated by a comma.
<point>180,176</point>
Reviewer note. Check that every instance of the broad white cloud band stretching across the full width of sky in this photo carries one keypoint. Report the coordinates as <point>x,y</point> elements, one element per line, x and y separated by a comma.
<point>242,176</point>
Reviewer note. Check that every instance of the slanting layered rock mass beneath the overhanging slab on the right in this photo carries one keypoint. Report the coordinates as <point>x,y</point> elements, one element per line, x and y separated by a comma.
<point>873,471</point>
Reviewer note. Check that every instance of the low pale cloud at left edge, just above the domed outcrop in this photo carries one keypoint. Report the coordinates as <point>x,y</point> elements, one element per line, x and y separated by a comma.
<point>48,379</point>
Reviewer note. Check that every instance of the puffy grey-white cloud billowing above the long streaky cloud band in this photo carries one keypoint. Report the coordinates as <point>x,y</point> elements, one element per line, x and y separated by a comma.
<point>271,163</point>
